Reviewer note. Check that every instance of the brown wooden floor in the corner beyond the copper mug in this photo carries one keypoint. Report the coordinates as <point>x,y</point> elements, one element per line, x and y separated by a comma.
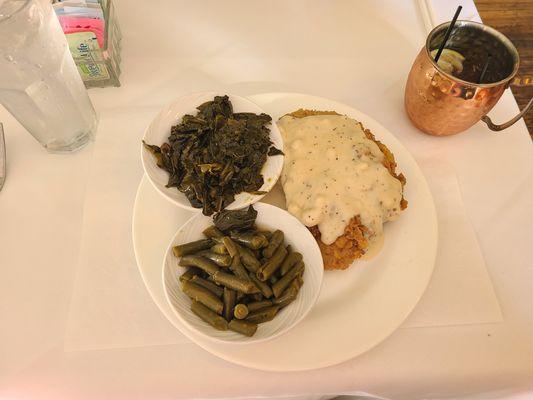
<point>514,18</point>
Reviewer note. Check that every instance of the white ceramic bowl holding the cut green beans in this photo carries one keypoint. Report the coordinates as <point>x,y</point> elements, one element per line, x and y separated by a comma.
<point>269,217</point>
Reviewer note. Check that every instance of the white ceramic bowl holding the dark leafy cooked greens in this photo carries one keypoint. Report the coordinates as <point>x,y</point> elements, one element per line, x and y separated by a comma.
<point>159,129</point>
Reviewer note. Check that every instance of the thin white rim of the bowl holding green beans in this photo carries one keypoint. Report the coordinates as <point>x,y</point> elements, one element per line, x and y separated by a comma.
<point>309,307</point>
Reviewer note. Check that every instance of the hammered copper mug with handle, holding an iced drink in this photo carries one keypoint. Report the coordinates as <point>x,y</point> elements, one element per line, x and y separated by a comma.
<point>439,103</point>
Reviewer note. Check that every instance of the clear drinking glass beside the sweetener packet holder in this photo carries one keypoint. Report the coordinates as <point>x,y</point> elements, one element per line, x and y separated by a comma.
<point>39,82</point>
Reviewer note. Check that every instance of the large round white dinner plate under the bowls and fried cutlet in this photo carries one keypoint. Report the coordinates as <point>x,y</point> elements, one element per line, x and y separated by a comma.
<point>357,308</point>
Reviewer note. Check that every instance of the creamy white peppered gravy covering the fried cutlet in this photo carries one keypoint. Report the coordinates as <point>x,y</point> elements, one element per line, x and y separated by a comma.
<point>333,173</point>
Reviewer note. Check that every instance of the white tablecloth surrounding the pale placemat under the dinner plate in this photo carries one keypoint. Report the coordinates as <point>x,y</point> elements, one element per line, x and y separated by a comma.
<point>336,49</point>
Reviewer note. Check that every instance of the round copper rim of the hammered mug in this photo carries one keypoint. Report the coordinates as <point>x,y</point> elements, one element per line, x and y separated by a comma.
<point>497,34</point>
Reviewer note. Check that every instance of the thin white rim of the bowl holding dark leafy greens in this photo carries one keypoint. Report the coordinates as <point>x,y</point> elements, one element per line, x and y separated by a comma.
<point>254,198</point>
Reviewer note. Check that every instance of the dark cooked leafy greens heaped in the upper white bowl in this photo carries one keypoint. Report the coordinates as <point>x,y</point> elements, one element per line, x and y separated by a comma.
<point>216,154</point>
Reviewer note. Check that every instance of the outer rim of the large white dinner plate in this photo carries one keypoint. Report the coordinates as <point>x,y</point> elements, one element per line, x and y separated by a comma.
<point>251,363</point>
